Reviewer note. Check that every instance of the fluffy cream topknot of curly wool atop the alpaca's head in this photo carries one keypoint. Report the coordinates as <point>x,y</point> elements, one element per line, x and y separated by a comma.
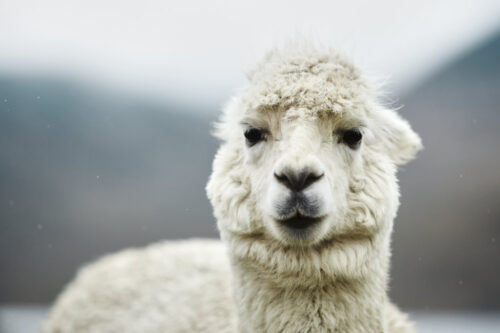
<point>304,77</point>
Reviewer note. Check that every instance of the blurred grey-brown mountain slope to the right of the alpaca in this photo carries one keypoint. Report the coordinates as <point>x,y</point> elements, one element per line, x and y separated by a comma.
<point>447,251</point>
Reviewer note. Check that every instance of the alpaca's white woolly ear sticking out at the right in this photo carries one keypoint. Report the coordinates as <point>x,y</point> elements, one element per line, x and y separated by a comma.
<point>399,140</point>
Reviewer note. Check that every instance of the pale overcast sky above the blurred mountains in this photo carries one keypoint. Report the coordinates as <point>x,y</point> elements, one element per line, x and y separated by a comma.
<point>197,51</point>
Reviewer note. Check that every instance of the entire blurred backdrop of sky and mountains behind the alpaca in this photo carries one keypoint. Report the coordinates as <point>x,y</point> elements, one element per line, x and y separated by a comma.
<point>105,104</point>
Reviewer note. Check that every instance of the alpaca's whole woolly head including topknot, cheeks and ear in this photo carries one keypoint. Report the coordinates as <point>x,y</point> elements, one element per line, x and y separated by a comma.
<point>308,155</point>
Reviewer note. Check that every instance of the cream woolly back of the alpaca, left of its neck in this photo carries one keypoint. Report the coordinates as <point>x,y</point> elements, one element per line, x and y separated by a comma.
<point>145,290</point>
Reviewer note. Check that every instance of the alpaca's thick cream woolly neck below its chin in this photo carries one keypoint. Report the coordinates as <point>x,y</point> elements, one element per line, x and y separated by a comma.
<point>271,302</point>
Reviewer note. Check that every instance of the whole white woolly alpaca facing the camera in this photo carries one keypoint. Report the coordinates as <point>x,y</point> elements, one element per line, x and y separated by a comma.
<point>304,190</point>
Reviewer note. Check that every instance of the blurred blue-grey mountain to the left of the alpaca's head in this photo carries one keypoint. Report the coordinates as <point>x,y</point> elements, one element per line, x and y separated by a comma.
<point>84,172</point>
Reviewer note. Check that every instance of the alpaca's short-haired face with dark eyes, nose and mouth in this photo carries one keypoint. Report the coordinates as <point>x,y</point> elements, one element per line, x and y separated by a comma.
<point>300,170</point>
